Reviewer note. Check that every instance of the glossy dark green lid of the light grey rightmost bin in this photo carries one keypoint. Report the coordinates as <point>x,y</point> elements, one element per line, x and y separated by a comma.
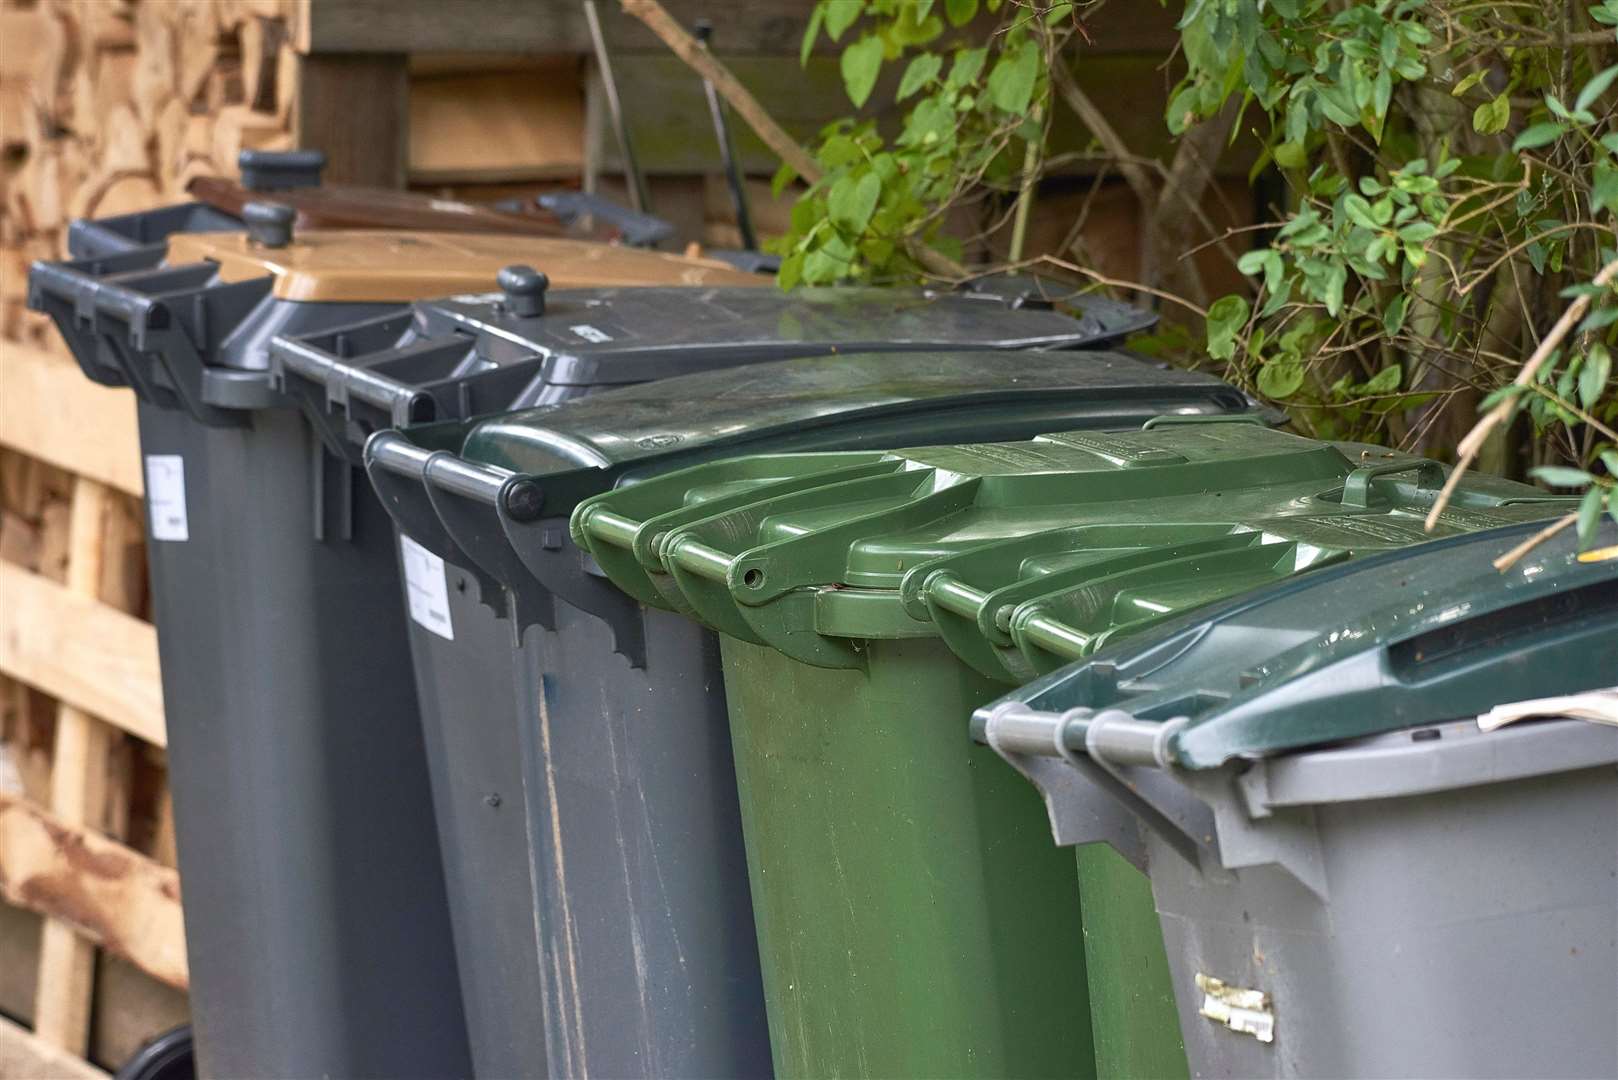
<point>1400,640</point>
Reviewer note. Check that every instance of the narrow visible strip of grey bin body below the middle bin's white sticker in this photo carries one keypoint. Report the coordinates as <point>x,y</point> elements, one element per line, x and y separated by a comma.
<point>478,797</point>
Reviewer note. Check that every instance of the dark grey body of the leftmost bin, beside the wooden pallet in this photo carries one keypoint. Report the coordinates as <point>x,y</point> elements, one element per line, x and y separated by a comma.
<point>277,817</point>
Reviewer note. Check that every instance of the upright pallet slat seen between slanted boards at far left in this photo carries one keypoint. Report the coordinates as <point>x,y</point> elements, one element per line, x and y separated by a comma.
<point>78,797</point>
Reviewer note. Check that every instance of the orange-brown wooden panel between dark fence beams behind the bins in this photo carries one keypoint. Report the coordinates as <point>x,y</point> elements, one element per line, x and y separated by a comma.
<point>498,127</point>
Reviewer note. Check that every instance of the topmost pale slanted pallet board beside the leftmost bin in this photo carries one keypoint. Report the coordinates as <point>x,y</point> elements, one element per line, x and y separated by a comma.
<point>49,410</point>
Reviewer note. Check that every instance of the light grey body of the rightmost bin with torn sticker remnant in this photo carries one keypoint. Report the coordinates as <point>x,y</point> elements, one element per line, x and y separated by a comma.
<point>1442,972</point>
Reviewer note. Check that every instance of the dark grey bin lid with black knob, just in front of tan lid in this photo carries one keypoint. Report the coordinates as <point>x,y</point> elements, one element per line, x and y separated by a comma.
<point>475,355</point>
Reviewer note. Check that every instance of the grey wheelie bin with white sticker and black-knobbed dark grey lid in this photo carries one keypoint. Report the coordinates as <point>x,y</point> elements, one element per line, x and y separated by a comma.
<point>530,346</point>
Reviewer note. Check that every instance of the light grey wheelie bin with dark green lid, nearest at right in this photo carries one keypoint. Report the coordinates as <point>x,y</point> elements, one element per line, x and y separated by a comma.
<point>1355,878</point>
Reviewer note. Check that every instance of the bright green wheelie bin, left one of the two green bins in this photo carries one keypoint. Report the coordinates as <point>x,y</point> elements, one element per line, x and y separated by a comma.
<point>899,877</point>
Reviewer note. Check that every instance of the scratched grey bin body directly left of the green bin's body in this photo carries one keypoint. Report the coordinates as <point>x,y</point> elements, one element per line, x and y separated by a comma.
<point>648,942</point>
